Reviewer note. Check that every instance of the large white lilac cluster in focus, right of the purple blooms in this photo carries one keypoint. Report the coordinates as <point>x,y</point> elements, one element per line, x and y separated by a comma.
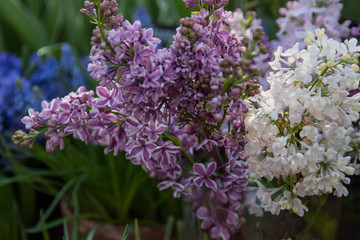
<point>300,131</point>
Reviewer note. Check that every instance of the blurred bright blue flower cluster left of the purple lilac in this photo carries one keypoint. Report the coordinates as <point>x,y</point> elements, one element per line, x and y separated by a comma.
<point>44,78</point>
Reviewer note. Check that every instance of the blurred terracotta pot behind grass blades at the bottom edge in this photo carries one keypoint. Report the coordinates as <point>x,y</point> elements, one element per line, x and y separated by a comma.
<point>111,232</point>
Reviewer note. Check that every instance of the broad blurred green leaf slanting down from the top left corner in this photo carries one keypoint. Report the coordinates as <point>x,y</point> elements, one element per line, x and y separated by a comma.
<point>24,22</point>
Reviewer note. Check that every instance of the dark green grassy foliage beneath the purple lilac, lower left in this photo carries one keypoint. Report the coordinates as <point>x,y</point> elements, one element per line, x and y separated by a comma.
<point>110,189</point>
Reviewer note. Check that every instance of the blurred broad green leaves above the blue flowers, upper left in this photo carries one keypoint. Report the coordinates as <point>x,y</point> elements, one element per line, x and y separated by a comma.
<point>33,24</point>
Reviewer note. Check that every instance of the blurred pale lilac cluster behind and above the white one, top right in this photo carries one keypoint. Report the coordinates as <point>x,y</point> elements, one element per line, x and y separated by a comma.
<point>302,16</point>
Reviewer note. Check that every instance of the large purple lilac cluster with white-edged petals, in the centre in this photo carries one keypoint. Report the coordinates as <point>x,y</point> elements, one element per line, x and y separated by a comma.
<point>178,112</point>
